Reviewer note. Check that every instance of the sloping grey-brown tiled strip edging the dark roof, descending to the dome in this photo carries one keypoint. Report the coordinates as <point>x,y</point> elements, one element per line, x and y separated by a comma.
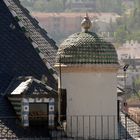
<point>44,46</point>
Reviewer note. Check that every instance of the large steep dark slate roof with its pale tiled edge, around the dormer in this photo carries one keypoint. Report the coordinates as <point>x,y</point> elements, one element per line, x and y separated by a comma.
<point>25,50</point>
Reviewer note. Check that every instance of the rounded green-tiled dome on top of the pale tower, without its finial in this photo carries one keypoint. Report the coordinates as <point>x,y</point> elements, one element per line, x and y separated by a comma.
<point>86,48</point>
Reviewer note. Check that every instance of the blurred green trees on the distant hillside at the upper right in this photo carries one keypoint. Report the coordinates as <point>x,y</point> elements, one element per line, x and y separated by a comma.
<point>127,27</point>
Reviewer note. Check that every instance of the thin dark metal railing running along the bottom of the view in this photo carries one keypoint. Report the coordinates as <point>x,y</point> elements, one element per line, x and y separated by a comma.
<point>73,128</point>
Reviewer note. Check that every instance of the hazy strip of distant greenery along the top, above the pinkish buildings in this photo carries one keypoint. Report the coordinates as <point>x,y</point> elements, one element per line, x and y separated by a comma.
<point>75,5</point>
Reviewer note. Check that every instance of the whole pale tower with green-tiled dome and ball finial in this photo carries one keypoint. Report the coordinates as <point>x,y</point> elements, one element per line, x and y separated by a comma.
<point>88,71</point>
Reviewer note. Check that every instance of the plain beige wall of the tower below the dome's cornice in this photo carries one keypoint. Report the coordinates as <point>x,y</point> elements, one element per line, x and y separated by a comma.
<point>91,94</point>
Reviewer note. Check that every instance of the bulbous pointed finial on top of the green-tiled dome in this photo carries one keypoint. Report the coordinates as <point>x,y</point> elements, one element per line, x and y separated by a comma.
<point>86,23</point>
